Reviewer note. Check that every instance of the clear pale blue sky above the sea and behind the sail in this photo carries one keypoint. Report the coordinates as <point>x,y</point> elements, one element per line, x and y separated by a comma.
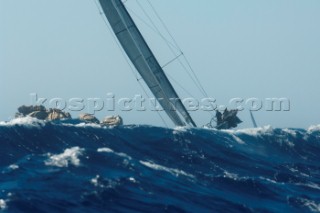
<point>261,49</point>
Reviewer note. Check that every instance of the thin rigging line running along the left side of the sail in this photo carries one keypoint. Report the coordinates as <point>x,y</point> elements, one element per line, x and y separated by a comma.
<point>127,60</point>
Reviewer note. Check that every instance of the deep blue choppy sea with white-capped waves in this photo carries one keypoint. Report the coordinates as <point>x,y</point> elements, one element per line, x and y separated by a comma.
<point>59,167</point>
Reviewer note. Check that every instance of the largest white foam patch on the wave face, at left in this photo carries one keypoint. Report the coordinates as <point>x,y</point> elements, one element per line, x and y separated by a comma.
<point>69,156</point>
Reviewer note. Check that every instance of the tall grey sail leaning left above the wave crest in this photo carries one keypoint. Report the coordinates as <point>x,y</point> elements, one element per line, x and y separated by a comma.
<point>145,62</point>
